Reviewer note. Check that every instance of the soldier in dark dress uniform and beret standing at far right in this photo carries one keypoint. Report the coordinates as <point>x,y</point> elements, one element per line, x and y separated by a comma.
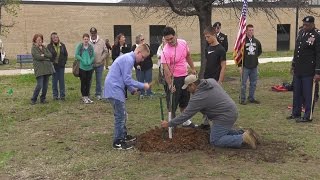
<point>306,69</point>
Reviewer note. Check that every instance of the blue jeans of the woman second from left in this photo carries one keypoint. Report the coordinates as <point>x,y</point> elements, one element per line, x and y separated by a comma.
<point>58,77</point>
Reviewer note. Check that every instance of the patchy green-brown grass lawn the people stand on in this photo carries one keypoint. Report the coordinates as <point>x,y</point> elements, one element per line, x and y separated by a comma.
<point>70,140</point>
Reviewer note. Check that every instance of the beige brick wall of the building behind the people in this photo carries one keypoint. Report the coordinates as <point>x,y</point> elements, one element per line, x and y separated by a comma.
<point>71,21</point>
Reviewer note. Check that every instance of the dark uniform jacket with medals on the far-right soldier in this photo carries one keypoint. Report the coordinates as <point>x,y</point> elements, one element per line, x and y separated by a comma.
<point>306,59</point>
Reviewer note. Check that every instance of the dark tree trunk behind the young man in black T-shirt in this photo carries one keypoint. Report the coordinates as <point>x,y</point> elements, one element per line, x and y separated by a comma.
<point>204,21</point>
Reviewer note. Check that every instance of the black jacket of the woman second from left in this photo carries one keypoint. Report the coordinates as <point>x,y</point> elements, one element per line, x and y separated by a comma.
<point>63,55</point>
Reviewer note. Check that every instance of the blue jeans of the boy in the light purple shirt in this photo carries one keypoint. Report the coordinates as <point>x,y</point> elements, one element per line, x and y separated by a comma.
<point>120,119</point>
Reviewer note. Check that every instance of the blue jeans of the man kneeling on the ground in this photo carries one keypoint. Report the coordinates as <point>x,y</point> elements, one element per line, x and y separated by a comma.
<point>221,136</point>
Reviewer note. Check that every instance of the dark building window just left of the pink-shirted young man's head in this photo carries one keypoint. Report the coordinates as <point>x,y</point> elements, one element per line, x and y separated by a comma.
<point>155,37</point>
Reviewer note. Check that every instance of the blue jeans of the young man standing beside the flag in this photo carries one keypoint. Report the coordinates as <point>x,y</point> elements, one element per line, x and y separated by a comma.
<point>252,74</point>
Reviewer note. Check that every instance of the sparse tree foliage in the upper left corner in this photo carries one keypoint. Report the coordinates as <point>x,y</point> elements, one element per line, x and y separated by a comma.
<point>9,8</point>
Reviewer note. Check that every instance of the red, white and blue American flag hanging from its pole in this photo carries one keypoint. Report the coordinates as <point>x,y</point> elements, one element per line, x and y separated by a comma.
<point>240,41</point>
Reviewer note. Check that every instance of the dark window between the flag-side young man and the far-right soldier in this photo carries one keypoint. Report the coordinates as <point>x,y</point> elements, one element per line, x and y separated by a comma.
<point>283,37</point>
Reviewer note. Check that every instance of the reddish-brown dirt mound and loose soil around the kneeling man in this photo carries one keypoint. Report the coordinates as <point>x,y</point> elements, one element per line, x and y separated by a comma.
<point>186,140</point>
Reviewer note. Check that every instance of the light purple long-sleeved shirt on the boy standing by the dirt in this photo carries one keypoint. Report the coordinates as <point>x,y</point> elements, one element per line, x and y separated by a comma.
<point>119,76</point>
